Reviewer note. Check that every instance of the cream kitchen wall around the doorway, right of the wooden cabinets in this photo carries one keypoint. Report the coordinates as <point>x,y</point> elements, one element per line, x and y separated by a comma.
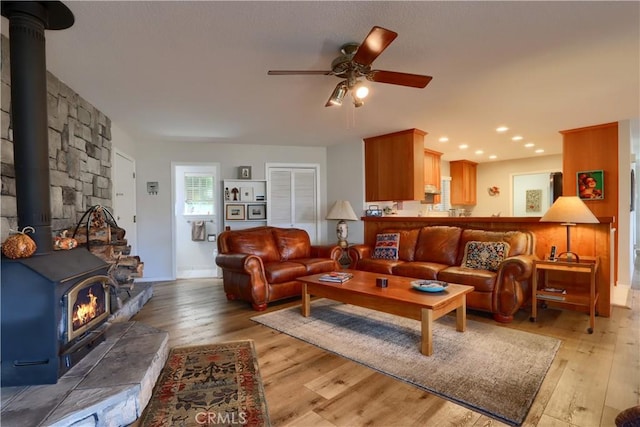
<point>500,174</point>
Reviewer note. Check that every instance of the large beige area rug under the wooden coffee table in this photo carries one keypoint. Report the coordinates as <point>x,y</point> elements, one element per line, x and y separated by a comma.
<point>491,369</point>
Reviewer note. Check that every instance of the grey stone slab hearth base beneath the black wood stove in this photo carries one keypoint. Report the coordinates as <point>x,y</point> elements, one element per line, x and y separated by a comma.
<point>109,387</point>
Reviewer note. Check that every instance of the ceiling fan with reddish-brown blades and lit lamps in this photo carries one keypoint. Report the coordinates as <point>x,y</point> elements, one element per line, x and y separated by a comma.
<point>355,62</point>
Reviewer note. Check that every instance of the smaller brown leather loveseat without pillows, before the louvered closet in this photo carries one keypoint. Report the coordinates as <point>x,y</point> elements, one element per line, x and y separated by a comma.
<point>261,264</point>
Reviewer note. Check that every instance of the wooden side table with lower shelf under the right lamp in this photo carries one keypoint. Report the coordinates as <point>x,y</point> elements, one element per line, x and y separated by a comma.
<point>576,297</point>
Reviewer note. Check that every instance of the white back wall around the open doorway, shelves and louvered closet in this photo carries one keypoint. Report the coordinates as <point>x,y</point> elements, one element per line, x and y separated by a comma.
<point>153,163</point>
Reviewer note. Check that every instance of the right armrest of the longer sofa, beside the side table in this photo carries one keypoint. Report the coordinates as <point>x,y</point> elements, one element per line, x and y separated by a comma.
<point>513,285</point>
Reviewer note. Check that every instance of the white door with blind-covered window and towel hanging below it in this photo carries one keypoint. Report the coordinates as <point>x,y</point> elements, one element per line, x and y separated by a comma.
<point>195,258</point>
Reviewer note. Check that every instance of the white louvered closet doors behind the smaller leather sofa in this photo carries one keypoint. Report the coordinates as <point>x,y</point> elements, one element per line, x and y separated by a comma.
<point>293,199</point>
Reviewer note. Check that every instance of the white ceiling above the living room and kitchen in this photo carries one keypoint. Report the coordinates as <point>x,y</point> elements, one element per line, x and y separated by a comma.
<point>197,71</point>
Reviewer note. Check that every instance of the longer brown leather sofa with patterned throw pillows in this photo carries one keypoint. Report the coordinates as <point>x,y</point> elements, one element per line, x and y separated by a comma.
<point>438,252</point>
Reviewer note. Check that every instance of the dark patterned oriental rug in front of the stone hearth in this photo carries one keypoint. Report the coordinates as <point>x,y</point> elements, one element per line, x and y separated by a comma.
<point>214,385</point>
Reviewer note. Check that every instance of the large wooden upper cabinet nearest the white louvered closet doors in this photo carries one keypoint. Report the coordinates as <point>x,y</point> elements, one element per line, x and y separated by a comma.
<point>394,166</point>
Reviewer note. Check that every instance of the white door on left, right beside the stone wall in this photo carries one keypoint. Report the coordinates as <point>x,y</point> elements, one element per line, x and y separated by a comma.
<point>124,202</point>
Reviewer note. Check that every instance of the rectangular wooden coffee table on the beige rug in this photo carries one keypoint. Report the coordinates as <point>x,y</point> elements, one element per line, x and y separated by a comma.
<point>397,298</point>
